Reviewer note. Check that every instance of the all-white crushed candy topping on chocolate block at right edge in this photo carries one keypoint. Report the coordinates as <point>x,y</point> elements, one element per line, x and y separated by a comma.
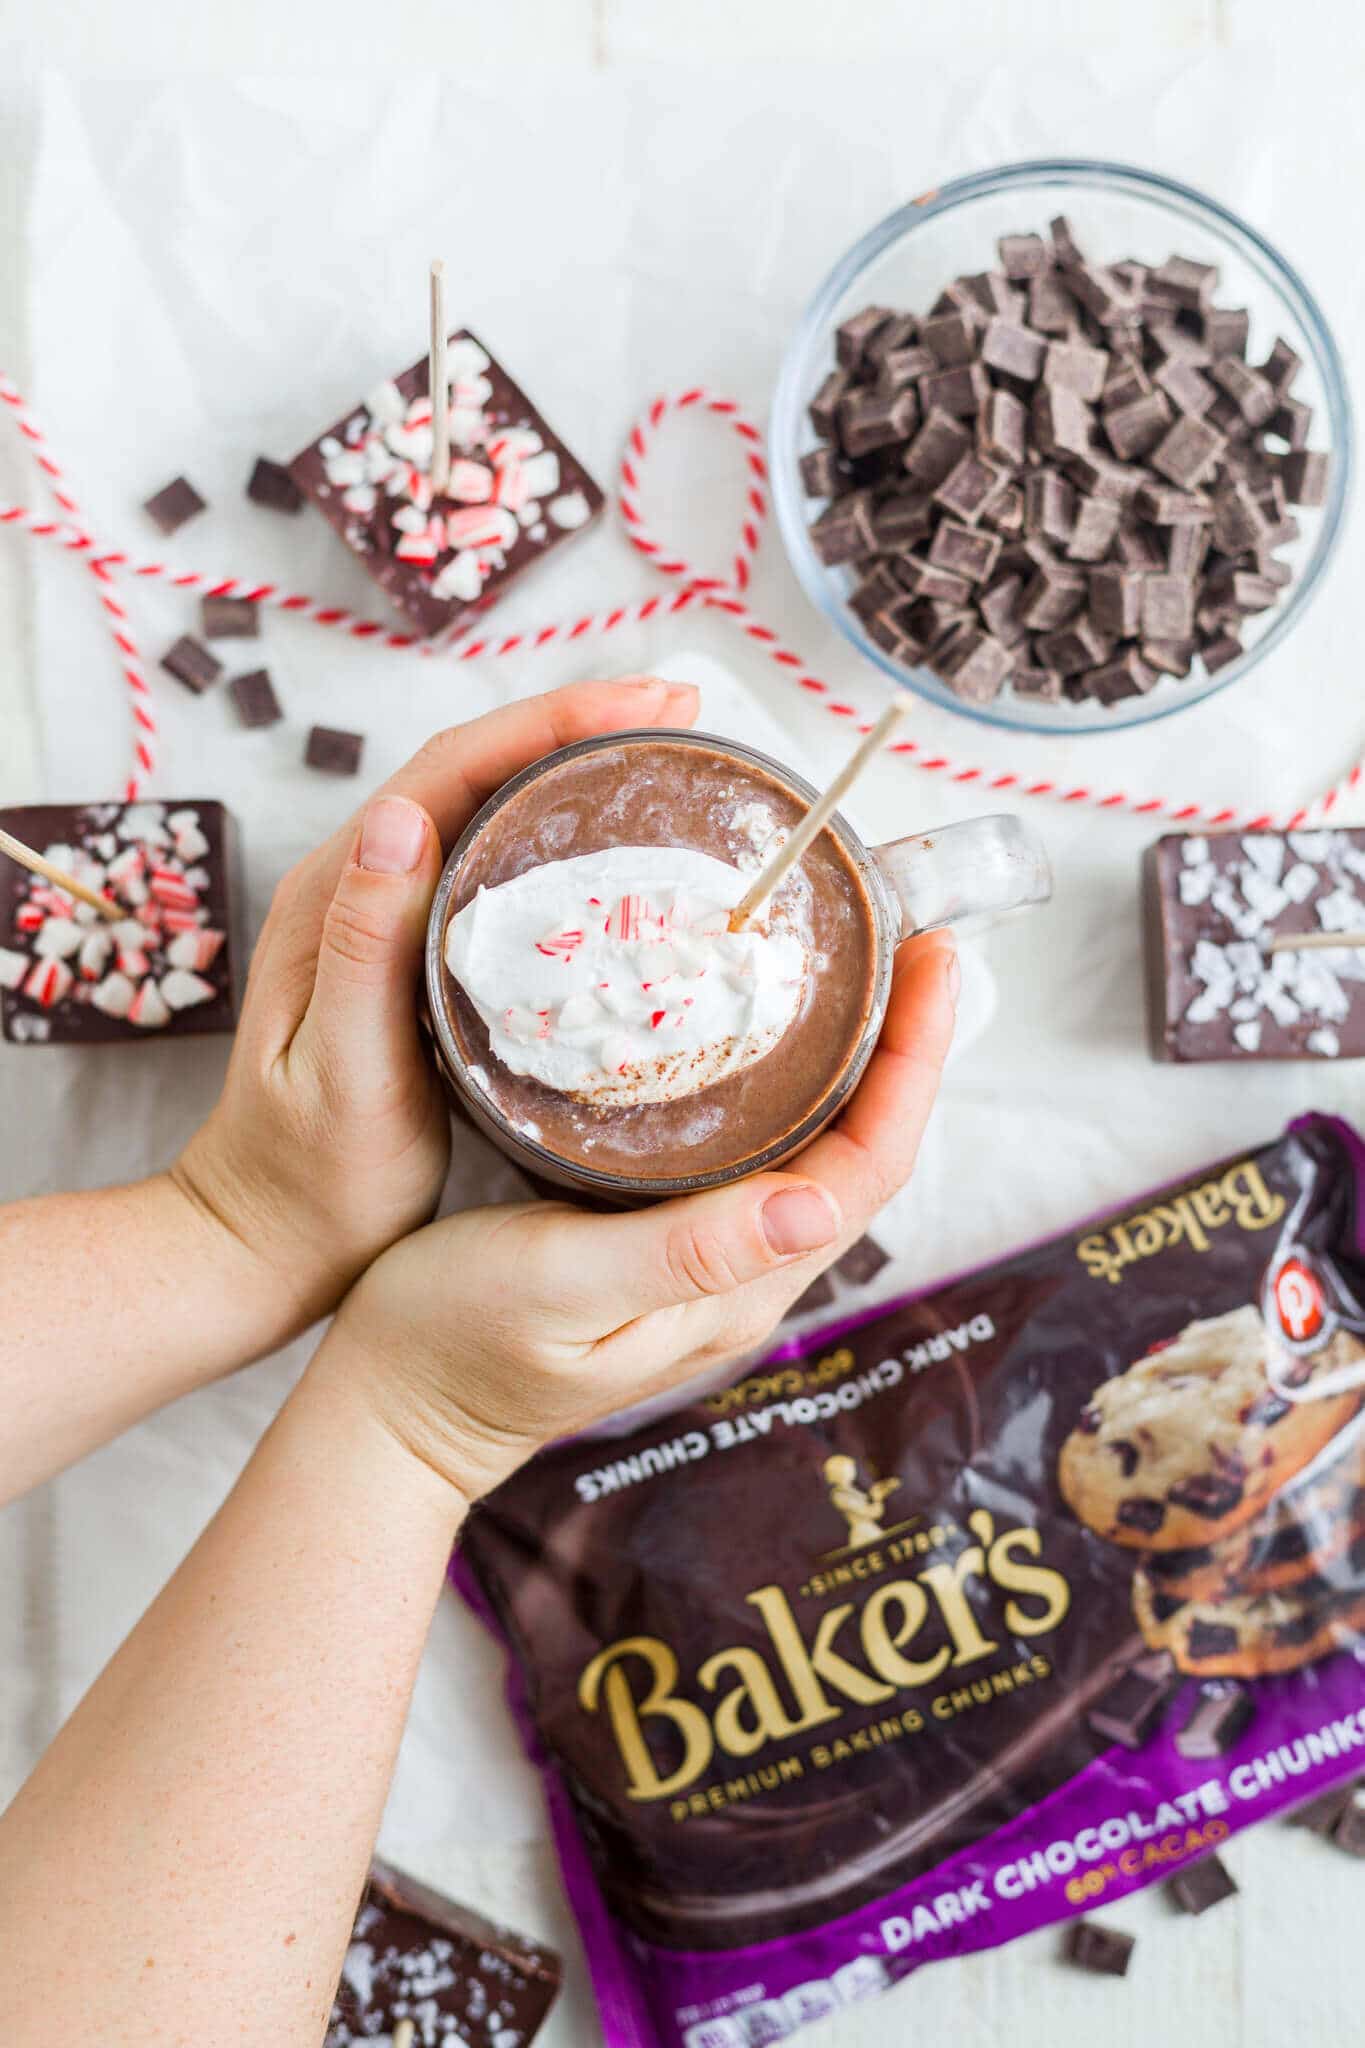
<point>1249,884</point>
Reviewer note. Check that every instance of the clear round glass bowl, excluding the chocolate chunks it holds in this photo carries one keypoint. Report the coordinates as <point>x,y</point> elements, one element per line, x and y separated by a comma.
<point>1116,212</point>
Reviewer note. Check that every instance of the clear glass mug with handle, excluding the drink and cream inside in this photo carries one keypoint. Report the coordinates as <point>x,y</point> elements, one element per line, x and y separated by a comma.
<point>918,884</point>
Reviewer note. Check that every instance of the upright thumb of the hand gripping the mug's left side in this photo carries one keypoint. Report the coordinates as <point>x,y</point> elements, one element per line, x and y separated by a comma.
<point>363,1013</point>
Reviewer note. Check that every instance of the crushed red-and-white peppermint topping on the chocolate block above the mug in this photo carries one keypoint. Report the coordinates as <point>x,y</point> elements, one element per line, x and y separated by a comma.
<point>504,480</point>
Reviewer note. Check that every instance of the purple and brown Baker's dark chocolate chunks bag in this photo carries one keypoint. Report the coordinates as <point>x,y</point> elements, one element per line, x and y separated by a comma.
<point>961,1617</point>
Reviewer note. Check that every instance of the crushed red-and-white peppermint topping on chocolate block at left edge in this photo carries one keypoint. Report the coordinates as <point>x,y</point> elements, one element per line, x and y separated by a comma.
<point>163,957</point>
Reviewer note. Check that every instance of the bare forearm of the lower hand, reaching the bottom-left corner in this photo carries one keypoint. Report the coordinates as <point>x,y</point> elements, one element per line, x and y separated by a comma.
<point>187,1859</point>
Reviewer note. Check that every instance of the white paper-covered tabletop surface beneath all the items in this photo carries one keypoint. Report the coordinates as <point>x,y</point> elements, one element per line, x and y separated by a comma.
<point>635,196</point>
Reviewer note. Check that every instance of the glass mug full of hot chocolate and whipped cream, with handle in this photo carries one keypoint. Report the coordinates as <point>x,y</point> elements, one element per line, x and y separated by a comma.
<point>592,1009</point>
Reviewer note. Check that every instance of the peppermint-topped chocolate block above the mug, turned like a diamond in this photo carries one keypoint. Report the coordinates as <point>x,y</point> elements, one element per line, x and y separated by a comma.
<point>517,493</point>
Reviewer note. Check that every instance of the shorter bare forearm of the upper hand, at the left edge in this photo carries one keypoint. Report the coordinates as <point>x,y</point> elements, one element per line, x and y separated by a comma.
<point>116,1304</point>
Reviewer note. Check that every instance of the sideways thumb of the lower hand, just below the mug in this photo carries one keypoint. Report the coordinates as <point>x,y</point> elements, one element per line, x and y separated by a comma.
<point>691,1248</point>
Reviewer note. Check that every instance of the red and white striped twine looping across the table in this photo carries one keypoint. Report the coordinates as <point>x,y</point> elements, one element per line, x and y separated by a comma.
<point>695,591</point>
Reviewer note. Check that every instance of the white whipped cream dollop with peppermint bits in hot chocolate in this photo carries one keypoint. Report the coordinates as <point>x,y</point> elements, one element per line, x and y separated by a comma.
<point>615,978</point>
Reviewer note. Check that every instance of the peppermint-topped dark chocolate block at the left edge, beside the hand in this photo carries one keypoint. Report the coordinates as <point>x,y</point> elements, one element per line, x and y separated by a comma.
<point>169,968</point>
